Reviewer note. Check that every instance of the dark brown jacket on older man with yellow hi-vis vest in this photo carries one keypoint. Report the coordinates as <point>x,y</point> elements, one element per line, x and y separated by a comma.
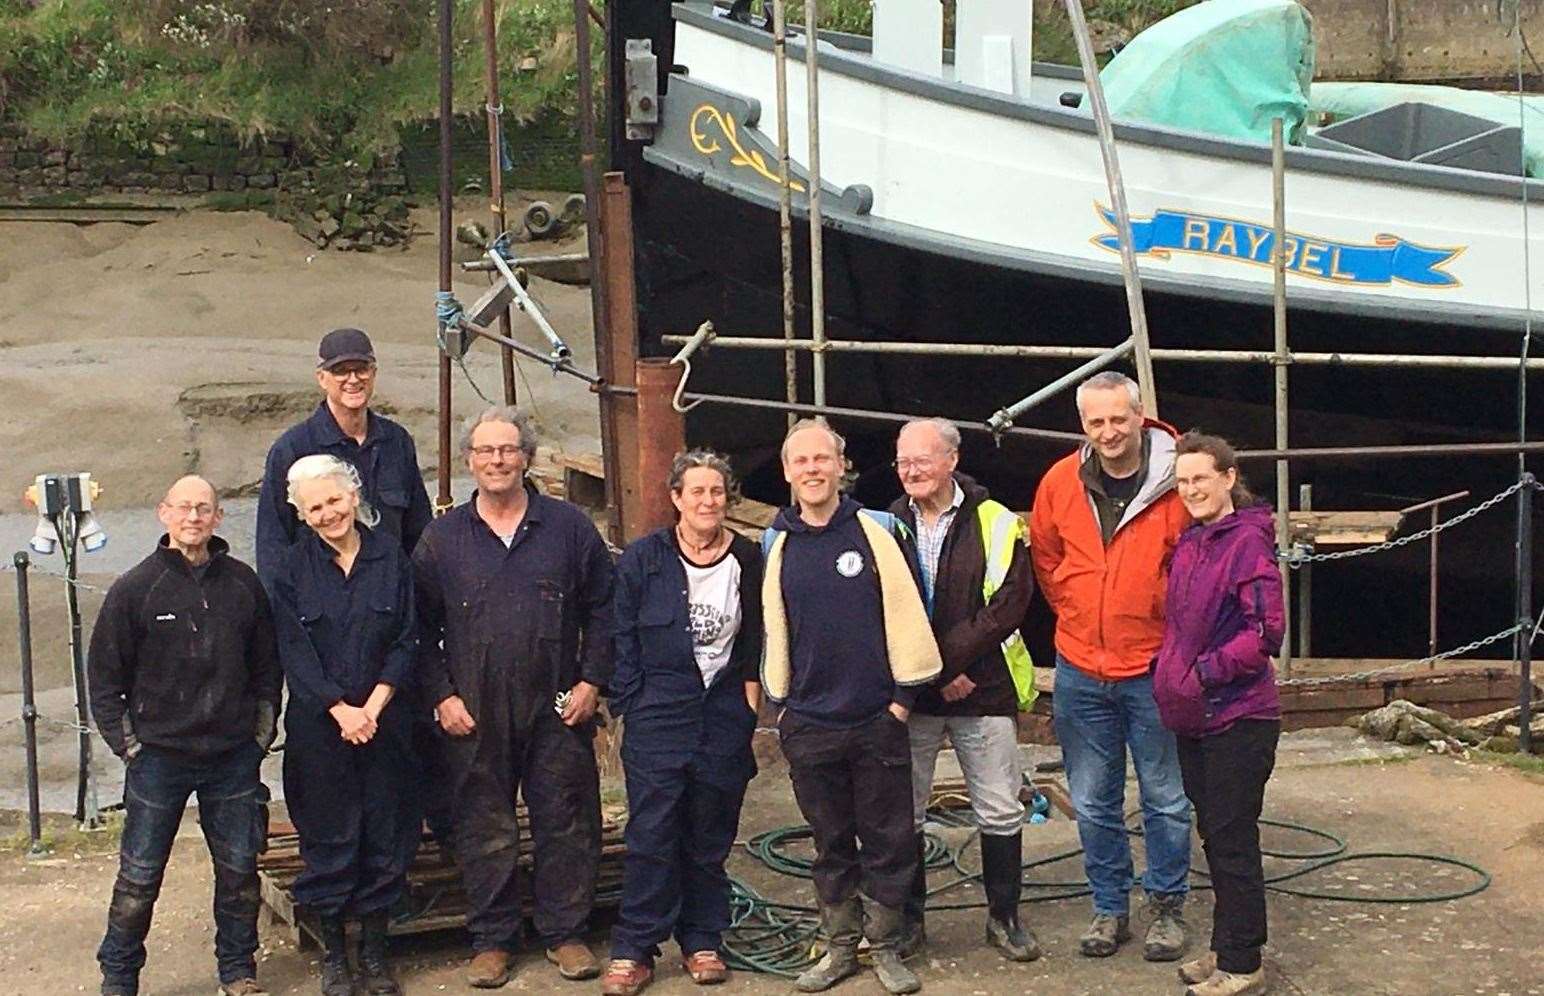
<point>969,628</point>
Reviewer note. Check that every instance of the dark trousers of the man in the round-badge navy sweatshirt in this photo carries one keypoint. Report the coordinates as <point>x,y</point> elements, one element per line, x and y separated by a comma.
<point>855,790</point>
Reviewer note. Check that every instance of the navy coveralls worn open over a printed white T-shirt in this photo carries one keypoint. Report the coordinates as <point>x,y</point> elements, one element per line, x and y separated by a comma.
<point>686,751</point>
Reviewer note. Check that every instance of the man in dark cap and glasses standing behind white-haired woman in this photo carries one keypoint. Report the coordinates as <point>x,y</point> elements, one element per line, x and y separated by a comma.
<point>345,427</point>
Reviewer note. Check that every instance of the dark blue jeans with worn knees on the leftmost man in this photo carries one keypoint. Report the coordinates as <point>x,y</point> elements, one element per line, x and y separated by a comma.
<point>157,790</point>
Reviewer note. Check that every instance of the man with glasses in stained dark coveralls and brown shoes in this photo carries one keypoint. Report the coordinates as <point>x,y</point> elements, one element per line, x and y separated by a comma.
<point>515,603</point>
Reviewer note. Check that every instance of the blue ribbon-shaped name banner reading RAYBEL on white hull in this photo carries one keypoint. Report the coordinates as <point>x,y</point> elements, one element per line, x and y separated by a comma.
<point>1389,259</point>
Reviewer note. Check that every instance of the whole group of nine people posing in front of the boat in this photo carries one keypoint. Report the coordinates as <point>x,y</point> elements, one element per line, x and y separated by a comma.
<point>441,668</point>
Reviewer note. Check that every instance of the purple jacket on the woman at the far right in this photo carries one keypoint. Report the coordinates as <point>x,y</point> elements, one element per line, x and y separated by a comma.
<point>1224,622</point>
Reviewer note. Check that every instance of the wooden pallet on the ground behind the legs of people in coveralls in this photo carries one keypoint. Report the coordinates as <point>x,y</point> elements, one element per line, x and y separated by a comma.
<point>436,899</point>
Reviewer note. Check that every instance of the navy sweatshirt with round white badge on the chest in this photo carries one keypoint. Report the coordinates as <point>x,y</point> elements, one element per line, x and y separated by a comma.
<point>841,668</point>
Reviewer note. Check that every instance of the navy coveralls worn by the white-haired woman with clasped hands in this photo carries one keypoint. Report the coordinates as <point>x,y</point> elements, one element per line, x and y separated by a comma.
<point>354,807</point>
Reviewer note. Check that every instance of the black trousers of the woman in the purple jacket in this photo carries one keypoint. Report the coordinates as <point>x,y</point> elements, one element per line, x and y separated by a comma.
<point>1225,777</point>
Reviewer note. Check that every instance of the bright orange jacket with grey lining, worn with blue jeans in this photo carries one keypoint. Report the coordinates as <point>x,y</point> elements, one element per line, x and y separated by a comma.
<point>1109,598</point>
